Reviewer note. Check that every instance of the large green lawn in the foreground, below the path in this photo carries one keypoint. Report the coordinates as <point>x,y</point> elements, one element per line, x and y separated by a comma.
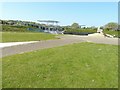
<point>84,65</point>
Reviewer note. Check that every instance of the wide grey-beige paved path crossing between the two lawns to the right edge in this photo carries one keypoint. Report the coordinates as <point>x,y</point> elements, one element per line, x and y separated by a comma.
<point>67,39</point>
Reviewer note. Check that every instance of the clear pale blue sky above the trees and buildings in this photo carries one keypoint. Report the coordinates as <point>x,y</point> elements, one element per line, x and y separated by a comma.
<point>87,13</point>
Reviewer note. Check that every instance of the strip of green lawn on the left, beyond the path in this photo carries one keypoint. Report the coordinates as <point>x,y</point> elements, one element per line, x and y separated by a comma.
<point>25,36</point>
